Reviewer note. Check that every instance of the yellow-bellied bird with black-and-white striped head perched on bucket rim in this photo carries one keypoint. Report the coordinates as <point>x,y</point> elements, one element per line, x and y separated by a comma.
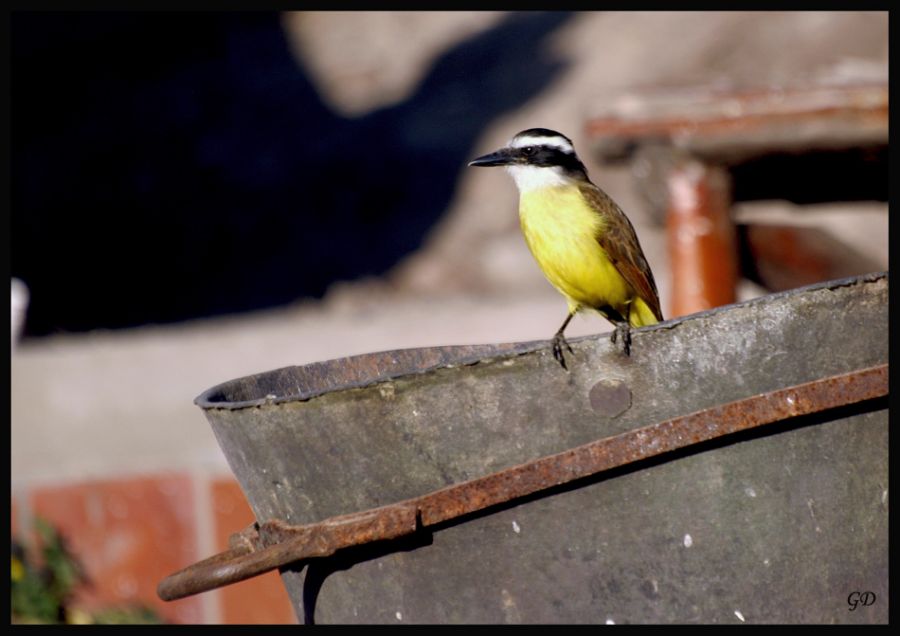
<point>582,241</point>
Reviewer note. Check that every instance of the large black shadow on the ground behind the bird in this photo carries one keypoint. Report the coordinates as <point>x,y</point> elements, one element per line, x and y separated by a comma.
<point>169,166</point>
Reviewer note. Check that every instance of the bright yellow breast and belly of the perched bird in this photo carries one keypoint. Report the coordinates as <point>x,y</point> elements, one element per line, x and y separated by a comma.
<point>560,229</point>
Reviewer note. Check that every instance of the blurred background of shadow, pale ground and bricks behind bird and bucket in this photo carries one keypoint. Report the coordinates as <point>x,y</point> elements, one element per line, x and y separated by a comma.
<point>198,197</point>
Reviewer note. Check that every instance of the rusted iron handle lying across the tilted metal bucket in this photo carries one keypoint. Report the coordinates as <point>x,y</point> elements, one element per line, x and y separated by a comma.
<point>273,544</point>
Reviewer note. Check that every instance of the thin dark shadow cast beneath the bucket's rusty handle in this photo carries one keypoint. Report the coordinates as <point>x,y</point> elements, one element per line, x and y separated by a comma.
<point>320,569</point>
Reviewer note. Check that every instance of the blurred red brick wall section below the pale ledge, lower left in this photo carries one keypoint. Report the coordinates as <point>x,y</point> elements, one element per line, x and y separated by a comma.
<point>130,533</point>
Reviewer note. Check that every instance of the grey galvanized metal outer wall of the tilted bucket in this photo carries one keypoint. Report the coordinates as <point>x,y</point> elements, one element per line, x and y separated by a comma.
<point>705,537</point>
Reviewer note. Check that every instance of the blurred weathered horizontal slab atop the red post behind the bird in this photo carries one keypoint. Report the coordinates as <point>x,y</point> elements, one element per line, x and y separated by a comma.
<point>724,123</point>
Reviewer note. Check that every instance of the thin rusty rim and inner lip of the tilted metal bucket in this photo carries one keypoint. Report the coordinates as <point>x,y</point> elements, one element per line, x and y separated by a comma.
<point>211,398</point>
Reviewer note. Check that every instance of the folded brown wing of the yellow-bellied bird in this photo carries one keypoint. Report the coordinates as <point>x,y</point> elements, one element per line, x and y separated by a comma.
<point>621,244</point>
